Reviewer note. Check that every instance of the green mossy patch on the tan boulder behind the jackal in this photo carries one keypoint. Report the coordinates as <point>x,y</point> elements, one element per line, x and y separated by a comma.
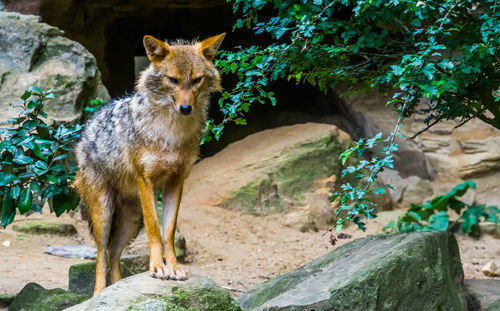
<point>286,176</point>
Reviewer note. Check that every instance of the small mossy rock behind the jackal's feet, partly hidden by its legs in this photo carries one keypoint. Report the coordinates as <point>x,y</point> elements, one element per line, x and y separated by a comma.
<point>82,276</point>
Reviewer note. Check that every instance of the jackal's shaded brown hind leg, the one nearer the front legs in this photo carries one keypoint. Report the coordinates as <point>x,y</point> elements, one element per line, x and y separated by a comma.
<point>126,223</point>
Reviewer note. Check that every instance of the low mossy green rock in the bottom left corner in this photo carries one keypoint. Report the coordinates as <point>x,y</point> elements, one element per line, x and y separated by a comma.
<point>35,297</point>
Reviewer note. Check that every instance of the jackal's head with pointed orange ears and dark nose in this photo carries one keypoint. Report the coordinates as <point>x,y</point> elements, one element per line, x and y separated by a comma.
<point>181,75</point>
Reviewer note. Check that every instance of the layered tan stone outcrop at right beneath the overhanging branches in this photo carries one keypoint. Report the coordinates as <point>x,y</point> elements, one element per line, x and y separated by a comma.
<point>442,157</point>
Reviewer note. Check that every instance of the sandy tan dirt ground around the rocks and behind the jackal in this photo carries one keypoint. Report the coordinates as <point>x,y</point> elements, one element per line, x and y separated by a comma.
<point>234,249</point>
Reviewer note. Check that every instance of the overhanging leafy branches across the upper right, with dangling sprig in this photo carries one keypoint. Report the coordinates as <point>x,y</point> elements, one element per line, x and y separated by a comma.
<point>437,58</point>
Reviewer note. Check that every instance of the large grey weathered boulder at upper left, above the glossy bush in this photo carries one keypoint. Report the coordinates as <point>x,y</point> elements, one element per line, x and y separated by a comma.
<point>34,53</point>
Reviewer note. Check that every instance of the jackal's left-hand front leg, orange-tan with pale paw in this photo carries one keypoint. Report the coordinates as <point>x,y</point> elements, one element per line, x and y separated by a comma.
<point>148,202</point>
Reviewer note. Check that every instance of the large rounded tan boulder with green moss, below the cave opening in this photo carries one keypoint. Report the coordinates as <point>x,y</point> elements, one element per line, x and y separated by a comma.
<point>288,170</point>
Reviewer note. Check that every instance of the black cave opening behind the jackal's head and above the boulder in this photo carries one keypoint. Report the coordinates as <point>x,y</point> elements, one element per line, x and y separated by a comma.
<point>113,32</point>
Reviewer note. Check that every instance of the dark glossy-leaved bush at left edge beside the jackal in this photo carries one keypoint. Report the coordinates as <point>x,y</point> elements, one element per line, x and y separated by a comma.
<point>33,154</point>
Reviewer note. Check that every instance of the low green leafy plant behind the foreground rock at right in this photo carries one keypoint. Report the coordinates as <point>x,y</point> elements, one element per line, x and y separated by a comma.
<point>433,215</point>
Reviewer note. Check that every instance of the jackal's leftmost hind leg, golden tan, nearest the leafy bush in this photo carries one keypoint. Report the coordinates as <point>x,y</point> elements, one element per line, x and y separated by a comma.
<point>100,210</point>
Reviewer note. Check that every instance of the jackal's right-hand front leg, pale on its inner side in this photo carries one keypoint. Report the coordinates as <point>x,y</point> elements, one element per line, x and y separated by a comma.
<point>172,192</point>
